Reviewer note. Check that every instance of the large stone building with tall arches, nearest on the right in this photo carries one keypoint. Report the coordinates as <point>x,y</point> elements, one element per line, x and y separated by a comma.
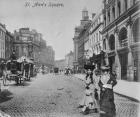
<point>121,37</point>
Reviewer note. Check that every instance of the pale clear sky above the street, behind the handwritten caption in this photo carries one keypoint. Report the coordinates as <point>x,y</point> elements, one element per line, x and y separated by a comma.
<point>55,23</point>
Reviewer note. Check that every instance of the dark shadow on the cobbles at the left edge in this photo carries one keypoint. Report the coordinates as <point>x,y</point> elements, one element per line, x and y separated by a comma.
<point>5,95</point>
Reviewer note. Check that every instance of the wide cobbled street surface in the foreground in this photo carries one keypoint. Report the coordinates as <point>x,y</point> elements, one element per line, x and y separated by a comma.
<point>54,96</point>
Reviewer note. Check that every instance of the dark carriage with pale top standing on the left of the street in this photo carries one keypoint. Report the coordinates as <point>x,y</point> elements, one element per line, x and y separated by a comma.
<point>18,70</point>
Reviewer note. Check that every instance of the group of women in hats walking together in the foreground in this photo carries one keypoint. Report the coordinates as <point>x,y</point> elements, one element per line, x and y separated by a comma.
<point>99,96</point>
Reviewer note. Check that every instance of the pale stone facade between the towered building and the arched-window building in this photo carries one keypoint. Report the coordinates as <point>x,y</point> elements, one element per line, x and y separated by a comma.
<point>95,42</point>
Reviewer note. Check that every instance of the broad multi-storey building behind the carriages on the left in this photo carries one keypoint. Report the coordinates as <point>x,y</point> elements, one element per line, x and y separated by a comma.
<point>27,43</point>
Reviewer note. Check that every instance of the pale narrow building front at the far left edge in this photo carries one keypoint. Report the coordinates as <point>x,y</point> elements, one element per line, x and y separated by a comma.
<point>2,41</point>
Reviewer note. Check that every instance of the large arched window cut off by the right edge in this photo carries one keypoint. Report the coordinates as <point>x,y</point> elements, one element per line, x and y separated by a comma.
<point>136,30</point>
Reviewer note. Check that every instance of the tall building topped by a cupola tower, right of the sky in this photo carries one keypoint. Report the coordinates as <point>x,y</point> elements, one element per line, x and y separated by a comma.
<point>80,34</point>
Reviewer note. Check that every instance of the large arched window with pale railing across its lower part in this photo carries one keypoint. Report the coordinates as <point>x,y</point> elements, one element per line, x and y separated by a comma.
<point>123,37</point>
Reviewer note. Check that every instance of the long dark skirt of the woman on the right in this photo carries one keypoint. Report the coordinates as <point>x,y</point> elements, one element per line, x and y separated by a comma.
<point>107,101</point>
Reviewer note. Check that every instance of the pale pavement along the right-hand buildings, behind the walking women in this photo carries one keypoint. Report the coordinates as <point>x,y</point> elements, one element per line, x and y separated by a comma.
<point>125,88</point>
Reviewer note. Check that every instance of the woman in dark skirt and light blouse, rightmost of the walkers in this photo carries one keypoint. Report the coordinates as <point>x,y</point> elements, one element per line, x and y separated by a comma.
<point>106,83</point>
